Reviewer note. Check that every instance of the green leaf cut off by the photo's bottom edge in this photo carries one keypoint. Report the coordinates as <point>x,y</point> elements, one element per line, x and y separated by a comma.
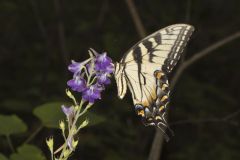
<point>28,152</point>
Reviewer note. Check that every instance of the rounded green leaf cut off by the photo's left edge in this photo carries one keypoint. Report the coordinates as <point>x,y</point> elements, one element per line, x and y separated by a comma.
<point>11,125</point>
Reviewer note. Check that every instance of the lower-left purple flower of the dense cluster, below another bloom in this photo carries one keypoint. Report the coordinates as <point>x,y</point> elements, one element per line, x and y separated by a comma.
<point>77,84</point>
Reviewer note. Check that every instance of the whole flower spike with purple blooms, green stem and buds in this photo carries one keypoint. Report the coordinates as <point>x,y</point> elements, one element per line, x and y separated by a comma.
<point>89,79</point>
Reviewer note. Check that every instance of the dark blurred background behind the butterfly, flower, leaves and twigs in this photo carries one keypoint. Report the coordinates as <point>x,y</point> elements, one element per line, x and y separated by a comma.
<point>39,38</point>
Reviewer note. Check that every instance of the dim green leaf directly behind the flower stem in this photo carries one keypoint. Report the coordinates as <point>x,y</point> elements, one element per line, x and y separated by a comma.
<point>50,114</point>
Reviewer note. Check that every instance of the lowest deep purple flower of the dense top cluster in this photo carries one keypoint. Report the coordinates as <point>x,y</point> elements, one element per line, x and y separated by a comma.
<point>92,93</point>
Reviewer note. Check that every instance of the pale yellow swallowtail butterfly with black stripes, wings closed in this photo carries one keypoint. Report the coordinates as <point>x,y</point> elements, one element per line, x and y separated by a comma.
<point>144,69</point>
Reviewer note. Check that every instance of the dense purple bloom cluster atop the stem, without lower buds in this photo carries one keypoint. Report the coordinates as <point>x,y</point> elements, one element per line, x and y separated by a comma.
<point>91,75</point>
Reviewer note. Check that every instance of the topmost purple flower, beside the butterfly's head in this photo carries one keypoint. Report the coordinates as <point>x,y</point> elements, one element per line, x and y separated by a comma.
<point>103,63</point>
